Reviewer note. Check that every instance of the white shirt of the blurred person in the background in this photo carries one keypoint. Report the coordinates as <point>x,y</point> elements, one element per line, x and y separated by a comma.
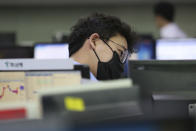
<point>172,30</point>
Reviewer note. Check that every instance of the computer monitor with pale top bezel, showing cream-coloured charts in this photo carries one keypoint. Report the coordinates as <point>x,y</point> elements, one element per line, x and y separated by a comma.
<point>18,74</point>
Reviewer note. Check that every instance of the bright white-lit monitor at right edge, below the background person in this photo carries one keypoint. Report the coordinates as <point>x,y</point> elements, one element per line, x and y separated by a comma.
<point>175,49</point>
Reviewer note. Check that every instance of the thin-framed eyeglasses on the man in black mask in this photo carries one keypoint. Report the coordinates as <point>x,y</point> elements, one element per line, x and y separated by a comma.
<point>124,54</point>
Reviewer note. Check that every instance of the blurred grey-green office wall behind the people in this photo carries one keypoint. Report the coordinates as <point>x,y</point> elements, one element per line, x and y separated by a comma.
<point>35,24</point>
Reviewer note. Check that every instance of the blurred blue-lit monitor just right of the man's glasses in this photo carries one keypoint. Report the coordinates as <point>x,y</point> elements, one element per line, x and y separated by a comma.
<point>145,48</point>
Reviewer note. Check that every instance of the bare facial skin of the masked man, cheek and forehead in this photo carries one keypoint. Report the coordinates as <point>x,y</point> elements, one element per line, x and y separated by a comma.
<point>118,43</point>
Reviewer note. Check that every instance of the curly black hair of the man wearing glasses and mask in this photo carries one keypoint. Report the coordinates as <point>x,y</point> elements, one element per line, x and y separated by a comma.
<point>105,26</point>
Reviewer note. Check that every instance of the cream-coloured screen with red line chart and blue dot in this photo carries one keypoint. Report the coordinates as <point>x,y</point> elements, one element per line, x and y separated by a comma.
<point>23,85</point>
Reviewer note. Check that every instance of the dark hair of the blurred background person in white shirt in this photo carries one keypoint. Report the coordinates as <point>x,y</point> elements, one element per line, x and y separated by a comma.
<point>165,9</point>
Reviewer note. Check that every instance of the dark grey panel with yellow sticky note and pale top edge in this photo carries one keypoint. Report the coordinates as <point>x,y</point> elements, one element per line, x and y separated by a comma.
<point>95,102</point>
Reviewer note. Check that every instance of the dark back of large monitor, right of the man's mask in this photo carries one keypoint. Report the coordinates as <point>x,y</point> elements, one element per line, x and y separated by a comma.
<point>164,75</point>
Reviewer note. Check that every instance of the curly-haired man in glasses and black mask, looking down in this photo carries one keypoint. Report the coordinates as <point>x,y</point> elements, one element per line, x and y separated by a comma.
<point>103,43</point>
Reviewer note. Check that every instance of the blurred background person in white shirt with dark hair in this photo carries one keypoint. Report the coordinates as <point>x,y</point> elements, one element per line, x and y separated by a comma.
<point>164,17</point>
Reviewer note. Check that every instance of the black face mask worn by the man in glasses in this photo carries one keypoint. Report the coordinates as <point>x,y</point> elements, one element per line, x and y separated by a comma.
<point>110,70</point>
